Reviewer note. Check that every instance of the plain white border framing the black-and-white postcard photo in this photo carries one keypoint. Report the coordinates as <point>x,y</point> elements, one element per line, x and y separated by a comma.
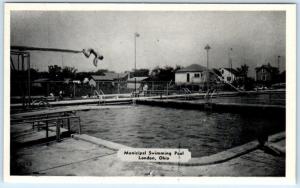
<point>290,103</point>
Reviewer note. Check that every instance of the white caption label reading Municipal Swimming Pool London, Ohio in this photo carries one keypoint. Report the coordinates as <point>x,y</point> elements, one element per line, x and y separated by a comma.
<point>178,155</point>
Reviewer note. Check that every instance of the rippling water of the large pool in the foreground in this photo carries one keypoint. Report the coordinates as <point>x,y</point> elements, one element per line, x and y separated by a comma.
<point>203,133</point>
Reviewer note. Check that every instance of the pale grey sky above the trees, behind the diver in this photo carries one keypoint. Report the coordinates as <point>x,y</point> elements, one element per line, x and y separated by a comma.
<point>166,38</point>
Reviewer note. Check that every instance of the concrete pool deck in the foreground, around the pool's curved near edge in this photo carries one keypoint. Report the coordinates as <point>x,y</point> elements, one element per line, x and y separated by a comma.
<point>93,157</point>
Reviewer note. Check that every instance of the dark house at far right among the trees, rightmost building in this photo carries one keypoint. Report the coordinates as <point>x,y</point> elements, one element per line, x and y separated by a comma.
<point>266,73</point>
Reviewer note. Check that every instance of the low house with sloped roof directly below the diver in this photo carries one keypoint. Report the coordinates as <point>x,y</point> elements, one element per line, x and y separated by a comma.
<point>108,79</point>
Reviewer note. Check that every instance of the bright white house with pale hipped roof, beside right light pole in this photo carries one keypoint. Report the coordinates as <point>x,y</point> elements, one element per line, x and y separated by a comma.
<point>193,74</point>
